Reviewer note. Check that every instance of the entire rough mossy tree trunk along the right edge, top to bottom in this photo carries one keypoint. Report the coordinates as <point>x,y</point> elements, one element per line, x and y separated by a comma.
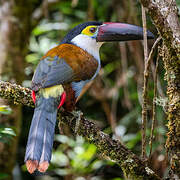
<point>164,14</point>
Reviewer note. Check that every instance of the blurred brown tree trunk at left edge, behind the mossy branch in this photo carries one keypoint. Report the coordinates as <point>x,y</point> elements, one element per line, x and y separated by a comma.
<point>15,29</point>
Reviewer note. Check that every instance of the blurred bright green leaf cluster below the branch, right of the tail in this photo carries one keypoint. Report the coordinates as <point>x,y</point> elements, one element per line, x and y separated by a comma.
<point>79,160</point>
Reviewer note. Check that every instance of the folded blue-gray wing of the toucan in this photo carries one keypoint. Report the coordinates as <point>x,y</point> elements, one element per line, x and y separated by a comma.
<point>52,71</point>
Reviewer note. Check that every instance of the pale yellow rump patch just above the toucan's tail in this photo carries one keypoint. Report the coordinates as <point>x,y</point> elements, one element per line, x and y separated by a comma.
<point>53,91</point>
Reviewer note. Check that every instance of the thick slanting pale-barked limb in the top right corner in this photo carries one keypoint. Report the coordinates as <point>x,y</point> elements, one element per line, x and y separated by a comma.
<point>164,14</point>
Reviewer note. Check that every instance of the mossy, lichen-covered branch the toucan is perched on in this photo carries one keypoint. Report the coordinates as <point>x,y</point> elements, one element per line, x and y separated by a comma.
<point>131,165</point>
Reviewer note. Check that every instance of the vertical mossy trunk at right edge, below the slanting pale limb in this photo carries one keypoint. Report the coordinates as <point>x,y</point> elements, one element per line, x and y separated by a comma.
<point>172,67</point>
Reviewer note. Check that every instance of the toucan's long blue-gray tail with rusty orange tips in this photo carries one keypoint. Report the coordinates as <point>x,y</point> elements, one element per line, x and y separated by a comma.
<point>41,134</point>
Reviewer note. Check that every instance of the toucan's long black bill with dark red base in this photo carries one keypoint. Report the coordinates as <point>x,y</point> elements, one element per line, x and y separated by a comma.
<point>120,32</point>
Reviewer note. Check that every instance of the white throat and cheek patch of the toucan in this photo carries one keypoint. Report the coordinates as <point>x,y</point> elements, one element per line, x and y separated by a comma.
<point>88,44</point>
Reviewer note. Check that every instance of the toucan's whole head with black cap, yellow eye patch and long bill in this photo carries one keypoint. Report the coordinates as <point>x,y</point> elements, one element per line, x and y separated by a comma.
<point>91,35</point>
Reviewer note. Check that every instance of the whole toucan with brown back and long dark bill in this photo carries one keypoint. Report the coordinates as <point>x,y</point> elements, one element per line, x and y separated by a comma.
<point>60,76</point>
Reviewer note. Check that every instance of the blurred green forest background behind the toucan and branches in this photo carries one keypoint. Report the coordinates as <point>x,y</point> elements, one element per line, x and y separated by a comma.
<point>113,101</point>
